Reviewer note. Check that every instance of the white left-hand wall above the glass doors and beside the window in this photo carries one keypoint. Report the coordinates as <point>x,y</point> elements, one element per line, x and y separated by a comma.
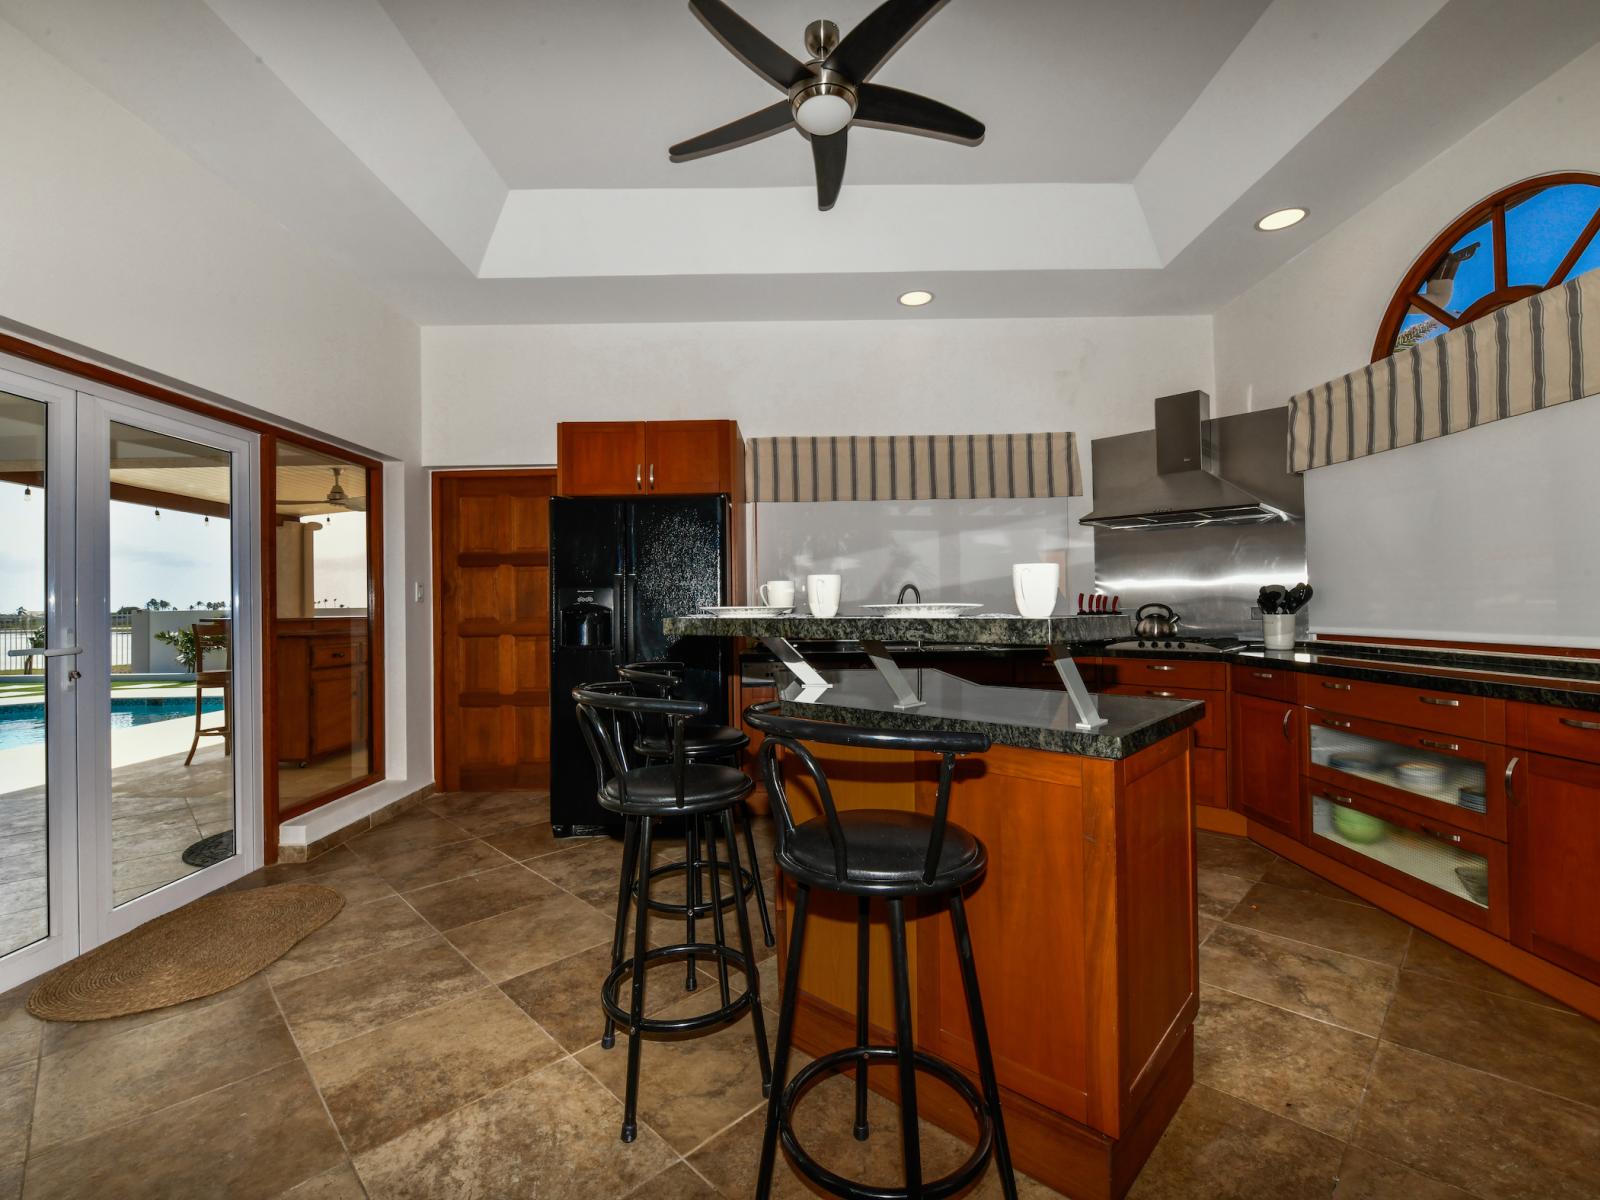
<point>114,241</point>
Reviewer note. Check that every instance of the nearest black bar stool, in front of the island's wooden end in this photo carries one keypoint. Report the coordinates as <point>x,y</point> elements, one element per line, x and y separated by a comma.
<point>890,855</point>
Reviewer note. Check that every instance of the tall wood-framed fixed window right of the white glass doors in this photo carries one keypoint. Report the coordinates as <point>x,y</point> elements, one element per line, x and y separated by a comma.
<point>326,625</point>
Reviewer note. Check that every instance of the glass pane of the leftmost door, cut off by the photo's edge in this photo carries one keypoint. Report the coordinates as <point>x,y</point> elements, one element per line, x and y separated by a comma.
<point>25,726</point>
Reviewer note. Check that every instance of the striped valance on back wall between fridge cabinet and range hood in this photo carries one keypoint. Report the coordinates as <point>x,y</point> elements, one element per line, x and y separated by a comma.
<point>935,466</point>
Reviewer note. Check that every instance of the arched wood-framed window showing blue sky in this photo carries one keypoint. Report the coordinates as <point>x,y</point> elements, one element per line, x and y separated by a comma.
<point>1524,239</point>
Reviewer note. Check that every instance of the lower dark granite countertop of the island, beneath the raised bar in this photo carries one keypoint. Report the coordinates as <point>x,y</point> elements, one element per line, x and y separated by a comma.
<point>1030,719</point>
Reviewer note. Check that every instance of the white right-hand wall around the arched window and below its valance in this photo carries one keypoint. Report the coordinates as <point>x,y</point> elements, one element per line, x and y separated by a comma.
<point>1414,542</point>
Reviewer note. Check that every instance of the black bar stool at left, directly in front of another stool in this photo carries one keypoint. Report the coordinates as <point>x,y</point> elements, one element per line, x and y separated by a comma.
<point>705,794</point>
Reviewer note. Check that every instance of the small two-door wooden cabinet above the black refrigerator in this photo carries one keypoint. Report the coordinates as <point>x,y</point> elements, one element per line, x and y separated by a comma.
<point>641,458</point>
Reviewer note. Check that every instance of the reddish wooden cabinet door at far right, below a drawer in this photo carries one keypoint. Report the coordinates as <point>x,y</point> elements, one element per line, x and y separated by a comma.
<point>1556,854</point>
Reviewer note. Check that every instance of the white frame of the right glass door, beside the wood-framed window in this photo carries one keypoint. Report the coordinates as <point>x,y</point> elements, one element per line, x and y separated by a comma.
<point>98,407</point>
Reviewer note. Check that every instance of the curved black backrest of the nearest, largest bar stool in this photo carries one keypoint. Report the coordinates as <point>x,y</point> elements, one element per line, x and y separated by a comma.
<point>790,735</point>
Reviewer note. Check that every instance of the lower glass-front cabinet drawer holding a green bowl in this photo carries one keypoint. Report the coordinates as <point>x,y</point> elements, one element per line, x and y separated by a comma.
<point>1454,870</point>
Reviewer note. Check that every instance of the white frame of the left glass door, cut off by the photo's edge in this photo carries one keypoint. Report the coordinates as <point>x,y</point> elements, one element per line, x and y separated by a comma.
<point>60,690</point>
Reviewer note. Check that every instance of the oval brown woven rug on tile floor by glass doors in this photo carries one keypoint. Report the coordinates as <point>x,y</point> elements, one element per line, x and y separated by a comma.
<point>201,950</point>
